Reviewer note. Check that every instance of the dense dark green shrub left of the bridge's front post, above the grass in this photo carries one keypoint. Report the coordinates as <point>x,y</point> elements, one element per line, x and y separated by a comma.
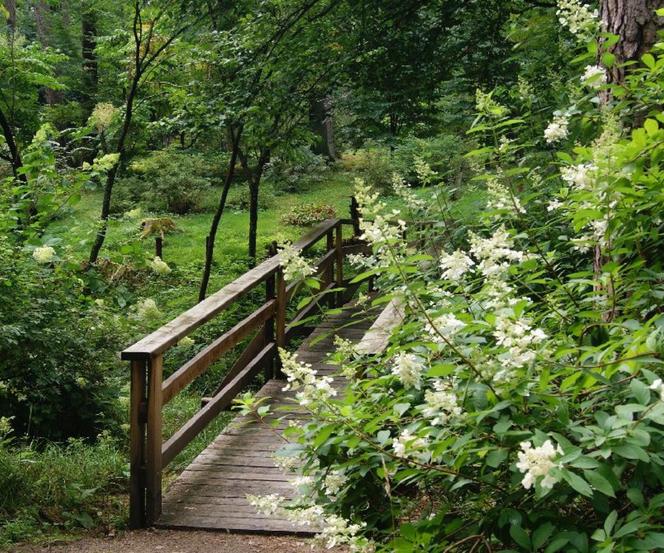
<point>58,360</point>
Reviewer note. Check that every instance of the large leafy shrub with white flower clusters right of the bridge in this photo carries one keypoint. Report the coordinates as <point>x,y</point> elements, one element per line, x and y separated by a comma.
<point>520,405</point>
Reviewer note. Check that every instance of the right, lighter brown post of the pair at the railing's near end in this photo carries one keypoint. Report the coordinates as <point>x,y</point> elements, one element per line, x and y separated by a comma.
<point>153,444</point>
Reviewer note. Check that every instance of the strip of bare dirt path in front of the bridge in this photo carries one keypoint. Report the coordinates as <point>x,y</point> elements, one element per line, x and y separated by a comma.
<point>171,541</point>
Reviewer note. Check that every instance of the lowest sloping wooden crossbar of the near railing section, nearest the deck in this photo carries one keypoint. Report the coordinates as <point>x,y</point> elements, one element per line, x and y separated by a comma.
<point>220,401</point>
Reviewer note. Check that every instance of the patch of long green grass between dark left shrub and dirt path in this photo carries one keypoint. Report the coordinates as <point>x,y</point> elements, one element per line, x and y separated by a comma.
<point>78,485</point>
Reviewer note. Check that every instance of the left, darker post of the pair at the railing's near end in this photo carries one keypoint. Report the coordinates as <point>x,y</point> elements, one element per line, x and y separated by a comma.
<point>137,412</point>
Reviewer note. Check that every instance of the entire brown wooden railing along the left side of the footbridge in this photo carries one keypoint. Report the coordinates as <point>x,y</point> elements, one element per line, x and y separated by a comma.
<point>150,392</point>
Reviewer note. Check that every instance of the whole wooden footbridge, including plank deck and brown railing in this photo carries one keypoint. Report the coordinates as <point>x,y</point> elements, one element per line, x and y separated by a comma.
<point>211,492</point>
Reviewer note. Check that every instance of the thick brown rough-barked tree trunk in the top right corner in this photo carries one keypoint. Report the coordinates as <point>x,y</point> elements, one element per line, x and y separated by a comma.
<point>636,23</point>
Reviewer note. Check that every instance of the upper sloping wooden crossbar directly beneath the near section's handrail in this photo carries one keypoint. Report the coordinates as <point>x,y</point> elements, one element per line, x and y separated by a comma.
<point>202,360</point>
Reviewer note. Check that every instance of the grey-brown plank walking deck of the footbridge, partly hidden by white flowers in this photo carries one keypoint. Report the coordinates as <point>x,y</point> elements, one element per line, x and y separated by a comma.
<point>211,493</point>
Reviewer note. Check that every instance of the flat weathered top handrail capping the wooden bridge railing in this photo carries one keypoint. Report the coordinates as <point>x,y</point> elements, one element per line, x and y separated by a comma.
<point>169,334</point>
